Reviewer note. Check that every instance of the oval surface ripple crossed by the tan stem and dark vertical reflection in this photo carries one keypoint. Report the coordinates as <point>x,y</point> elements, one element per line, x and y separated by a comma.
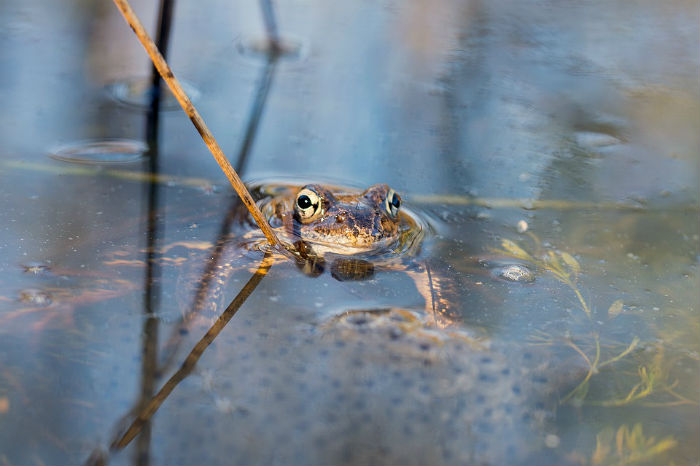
<point>137,92</point>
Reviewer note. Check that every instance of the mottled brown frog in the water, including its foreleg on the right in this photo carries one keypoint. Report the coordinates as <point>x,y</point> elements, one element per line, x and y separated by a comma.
<point>355,233</point>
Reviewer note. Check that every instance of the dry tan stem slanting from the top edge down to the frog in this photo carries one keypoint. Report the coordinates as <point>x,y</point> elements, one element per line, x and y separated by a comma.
<point>184,101</point>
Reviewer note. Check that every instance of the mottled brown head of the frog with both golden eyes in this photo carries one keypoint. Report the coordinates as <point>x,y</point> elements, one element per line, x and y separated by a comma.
<point>339,222</point>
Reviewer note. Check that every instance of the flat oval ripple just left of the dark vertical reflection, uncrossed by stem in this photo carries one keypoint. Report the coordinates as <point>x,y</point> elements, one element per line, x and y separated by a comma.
<point>101,151</point>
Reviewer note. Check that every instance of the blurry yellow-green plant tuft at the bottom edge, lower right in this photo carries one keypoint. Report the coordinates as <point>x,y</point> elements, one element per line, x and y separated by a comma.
<point>628,446</point>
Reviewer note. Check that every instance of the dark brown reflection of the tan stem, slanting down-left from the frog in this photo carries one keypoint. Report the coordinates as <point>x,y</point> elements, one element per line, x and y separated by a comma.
<point>152,405</point>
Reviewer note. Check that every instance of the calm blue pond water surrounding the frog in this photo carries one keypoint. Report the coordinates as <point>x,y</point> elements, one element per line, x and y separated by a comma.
<point>554,139</point>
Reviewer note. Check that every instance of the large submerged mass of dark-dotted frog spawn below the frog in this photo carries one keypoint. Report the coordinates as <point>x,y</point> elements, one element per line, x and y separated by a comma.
<point>367,387</point>
